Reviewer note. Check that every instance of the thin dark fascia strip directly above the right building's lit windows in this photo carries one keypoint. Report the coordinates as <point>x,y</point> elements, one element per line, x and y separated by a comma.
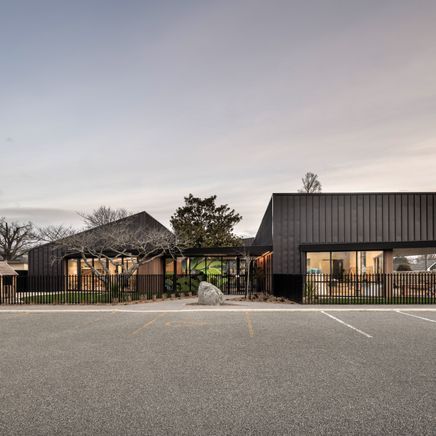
<point>366,246</point>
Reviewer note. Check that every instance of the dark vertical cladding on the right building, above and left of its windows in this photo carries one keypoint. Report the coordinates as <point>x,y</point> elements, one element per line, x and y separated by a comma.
<point>299,219</point>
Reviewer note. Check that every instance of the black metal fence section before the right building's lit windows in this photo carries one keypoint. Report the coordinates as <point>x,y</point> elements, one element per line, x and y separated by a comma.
<point>396,288</point>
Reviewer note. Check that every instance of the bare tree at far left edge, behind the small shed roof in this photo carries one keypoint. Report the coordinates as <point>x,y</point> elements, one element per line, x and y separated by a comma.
<point>16,239</point>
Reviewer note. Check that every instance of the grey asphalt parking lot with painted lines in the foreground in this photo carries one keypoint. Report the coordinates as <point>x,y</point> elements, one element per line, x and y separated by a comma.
<point>218,373</point>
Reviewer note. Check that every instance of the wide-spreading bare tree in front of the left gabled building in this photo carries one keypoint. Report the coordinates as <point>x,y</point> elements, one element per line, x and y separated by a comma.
<point>114,241</point>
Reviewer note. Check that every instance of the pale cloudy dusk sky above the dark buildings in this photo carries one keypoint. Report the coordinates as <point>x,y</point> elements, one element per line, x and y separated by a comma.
<point>136,104</point>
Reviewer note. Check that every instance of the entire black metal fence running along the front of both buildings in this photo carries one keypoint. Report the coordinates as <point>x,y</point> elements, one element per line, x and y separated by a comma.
<point>396,288</point>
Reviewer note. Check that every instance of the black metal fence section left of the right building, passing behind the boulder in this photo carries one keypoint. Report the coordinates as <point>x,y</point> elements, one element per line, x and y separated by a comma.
<point>116,288</point>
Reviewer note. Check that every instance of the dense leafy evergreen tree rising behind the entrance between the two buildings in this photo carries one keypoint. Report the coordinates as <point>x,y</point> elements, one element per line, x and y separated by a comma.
<point>201,223</point>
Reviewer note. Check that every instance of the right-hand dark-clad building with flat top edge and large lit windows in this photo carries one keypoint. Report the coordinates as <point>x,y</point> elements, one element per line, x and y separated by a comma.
<point>352,233</point>
